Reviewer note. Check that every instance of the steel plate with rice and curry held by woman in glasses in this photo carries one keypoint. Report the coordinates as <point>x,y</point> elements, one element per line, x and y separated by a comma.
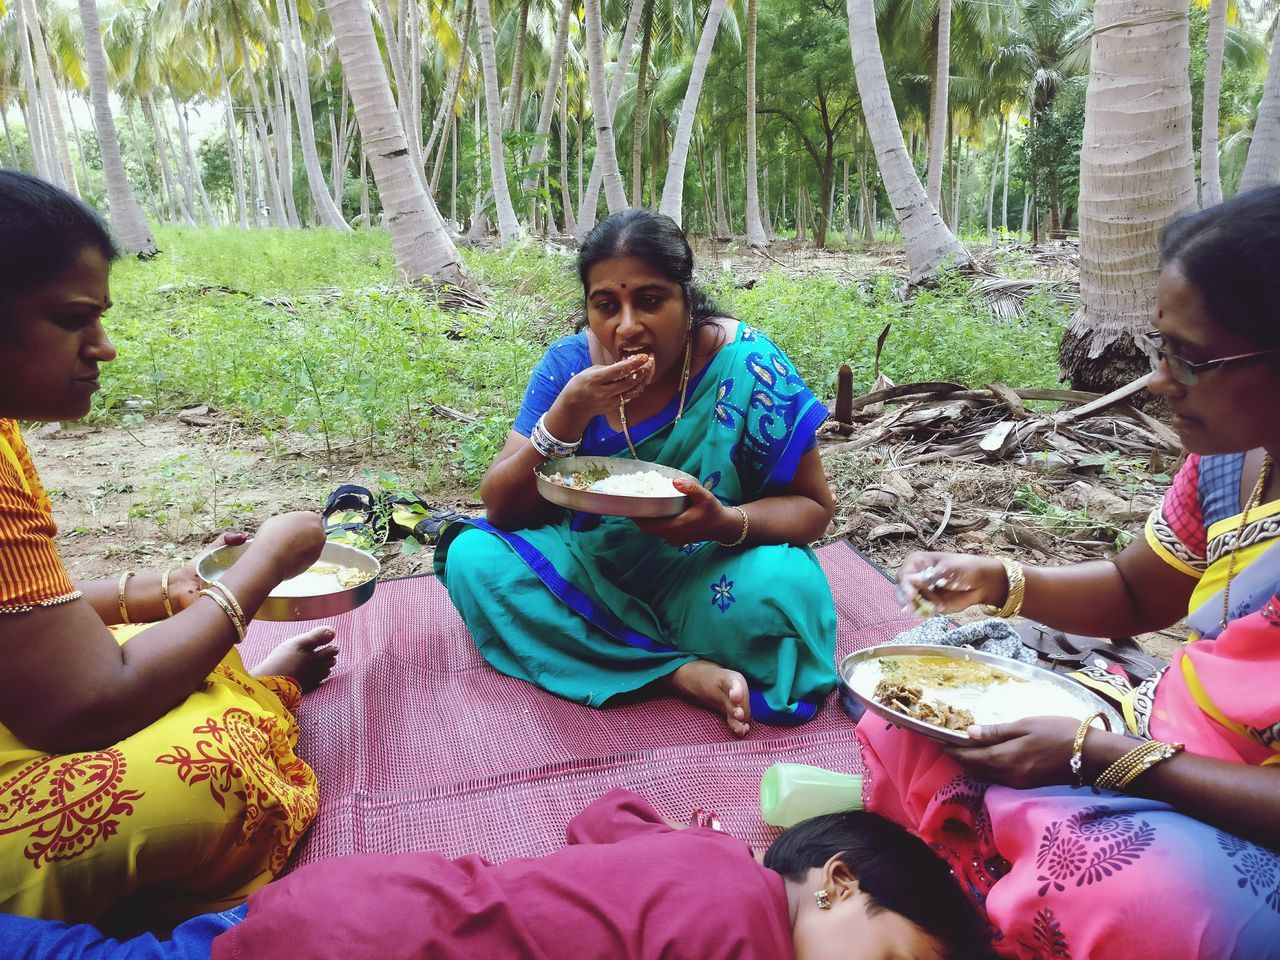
<point>940,691</point>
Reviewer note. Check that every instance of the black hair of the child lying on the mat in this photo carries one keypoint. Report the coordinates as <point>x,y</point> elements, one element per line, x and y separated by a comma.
<point>895,870</point>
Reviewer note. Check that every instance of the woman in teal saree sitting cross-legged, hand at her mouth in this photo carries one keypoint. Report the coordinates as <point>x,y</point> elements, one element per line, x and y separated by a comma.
<point>724,605</point>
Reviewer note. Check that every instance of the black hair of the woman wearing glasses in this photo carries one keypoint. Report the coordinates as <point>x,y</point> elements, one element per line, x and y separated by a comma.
<point>1231,254</point>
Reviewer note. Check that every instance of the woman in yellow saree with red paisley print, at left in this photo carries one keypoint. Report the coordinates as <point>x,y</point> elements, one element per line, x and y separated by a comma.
<point>136,761</point>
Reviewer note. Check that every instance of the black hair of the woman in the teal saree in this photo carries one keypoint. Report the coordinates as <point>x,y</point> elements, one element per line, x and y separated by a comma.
<point>655,239</point>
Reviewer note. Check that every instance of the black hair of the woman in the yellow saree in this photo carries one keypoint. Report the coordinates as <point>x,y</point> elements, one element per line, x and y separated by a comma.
<point>43,231</point>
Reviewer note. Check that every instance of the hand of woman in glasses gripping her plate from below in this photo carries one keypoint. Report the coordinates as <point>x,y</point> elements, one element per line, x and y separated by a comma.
<point>1030,753</point>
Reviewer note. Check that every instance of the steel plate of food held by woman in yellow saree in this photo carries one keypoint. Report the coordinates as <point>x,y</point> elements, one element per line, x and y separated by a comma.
<point>341,580</point>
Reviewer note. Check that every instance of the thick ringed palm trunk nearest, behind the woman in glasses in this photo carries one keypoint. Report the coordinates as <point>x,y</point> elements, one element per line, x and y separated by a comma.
<point>1139,94</point>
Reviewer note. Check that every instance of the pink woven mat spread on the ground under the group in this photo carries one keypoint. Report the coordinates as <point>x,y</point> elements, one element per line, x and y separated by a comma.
<point>420,746</point>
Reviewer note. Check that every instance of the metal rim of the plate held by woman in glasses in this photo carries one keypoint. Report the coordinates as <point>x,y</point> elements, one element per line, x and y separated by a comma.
<point>857,702</point>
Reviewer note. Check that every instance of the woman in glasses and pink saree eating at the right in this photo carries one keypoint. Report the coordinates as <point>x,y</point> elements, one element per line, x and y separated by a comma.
<point>1182,861</point>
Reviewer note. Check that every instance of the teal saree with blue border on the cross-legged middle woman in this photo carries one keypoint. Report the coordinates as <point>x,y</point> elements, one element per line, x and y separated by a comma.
<point>591,607</point>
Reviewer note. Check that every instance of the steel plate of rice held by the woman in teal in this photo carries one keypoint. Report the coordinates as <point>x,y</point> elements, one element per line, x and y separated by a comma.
<point>612,487</point>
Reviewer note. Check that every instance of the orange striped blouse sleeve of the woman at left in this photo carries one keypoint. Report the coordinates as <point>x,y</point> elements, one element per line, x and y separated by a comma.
<point>31,572</point>
